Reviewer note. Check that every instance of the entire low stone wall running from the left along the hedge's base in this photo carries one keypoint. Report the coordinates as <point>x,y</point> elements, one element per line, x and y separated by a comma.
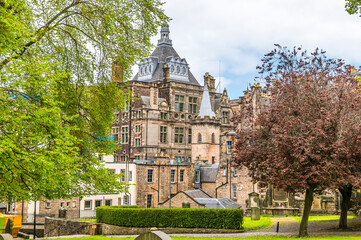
<point>61,227</point>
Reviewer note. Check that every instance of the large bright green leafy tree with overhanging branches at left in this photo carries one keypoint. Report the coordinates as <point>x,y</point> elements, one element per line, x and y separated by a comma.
<point>57,100</point>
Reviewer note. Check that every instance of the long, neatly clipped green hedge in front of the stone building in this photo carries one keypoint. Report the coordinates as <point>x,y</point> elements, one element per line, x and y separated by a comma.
<point>174,217</point>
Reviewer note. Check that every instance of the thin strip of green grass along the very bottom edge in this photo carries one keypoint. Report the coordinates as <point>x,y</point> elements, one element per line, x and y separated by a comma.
<point>217,238</point>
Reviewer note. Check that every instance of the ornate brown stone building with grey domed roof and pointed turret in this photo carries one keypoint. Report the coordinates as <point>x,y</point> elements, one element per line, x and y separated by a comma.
<point>178,132</point>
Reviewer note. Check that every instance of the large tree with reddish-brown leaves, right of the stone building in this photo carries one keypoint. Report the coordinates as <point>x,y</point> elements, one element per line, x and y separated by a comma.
<point>307,137</point>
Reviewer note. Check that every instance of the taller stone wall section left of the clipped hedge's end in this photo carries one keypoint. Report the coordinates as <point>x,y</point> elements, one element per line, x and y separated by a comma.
<point>61,227</point>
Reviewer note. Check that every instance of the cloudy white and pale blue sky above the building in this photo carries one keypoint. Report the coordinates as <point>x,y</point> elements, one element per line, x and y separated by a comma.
<point>228,38</point>
